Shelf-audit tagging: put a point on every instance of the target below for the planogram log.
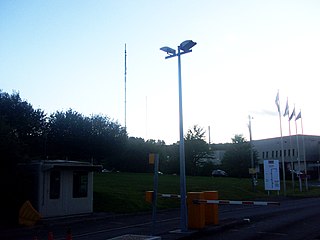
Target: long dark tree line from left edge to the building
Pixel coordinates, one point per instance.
(28, 134)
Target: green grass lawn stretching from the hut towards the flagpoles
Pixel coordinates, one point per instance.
(125, 192)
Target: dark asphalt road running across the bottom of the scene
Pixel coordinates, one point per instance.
(293, 219)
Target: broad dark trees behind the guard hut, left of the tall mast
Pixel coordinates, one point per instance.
(74, 136)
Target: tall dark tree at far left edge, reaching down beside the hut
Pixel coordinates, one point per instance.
(21, 138)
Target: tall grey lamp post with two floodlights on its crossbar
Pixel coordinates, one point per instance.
(184, 47)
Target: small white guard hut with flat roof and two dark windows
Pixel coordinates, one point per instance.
(59, 187)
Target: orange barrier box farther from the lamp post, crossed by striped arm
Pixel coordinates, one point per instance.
(211, 210)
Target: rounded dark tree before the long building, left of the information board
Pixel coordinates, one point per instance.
(237, 159)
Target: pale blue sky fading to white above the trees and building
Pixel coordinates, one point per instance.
(62, 55)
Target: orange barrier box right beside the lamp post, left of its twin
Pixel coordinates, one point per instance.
(196, 212)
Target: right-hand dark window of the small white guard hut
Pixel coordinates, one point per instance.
(80, 184)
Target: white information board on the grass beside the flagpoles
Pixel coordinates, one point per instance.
(271, 175)
